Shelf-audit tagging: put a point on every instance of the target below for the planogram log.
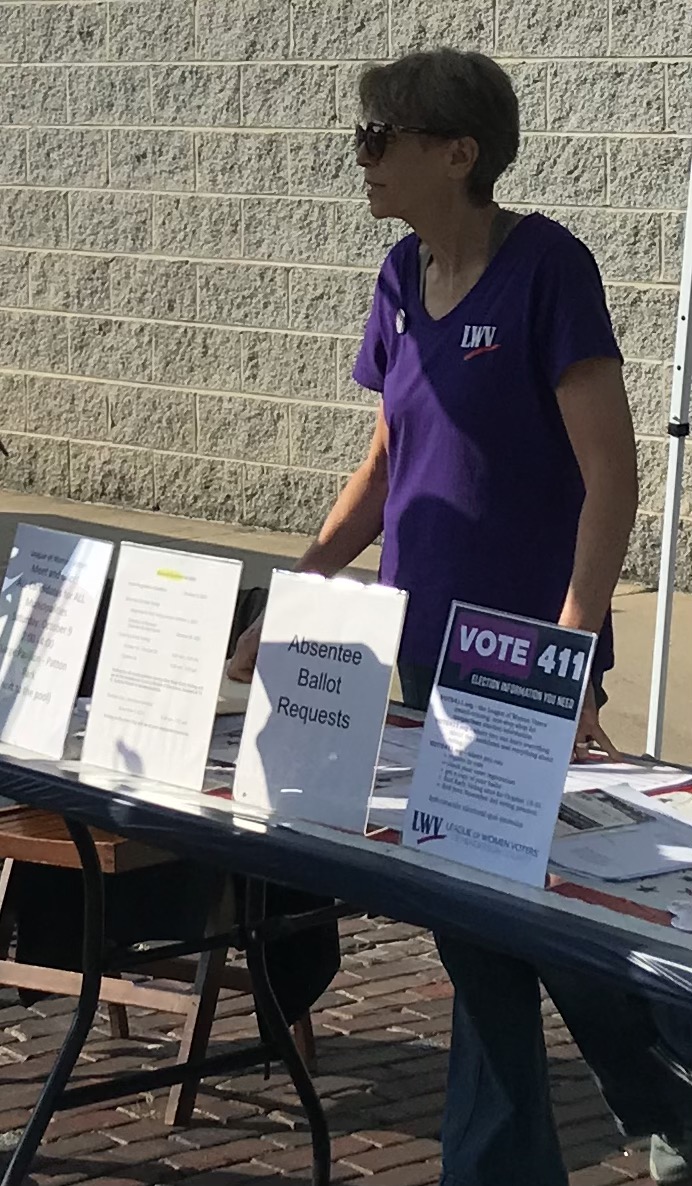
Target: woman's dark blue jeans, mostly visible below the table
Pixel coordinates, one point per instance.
(499, 1124)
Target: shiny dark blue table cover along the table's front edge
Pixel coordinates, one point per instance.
(370, 879)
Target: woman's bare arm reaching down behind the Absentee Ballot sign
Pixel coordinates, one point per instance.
(354, 522)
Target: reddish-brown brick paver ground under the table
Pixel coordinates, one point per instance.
(383, 1034)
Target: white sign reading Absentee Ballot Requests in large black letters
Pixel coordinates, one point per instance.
(319, 699)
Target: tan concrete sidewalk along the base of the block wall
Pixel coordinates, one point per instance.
(628, 686)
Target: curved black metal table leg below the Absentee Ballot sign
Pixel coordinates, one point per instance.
(281, 1034)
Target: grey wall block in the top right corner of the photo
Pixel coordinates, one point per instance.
(668, 25)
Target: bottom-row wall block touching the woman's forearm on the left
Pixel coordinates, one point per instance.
(288, 500)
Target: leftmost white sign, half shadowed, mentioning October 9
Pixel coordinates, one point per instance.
(48, 608)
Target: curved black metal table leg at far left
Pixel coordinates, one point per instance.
(84, 1017)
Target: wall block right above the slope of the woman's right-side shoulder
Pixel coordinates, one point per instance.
(627, 245)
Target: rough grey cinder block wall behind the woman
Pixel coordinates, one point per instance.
(187, 259)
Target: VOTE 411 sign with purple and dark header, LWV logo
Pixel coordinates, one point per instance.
(498, 742)
